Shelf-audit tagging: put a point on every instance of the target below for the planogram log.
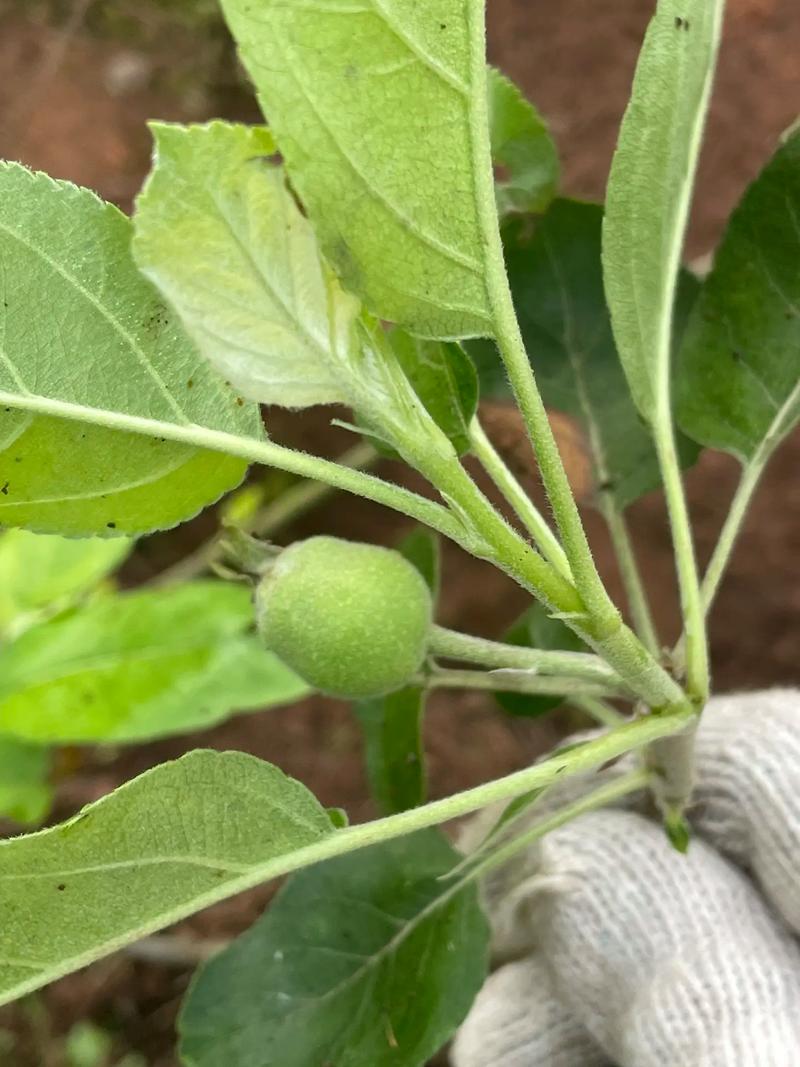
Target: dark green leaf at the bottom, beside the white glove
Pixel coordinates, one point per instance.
(372, 961)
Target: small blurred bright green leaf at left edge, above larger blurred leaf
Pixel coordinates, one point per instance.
(40, 570)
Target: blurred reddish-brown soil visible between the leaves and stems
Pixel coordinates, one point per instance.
(78, 81)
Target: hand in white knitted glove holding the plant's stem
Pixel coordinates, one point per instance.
(637, 957)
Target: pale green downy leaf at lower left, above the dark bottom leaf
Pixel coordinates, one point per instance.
(167, 845)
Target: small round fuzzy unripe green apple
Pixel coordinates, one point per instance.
(350, 619)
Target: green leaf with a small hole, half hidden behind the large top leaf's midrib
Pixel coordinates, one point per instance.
(523, 146)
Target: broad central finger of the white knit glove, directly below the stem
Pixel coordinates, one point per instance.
(666, 960)
